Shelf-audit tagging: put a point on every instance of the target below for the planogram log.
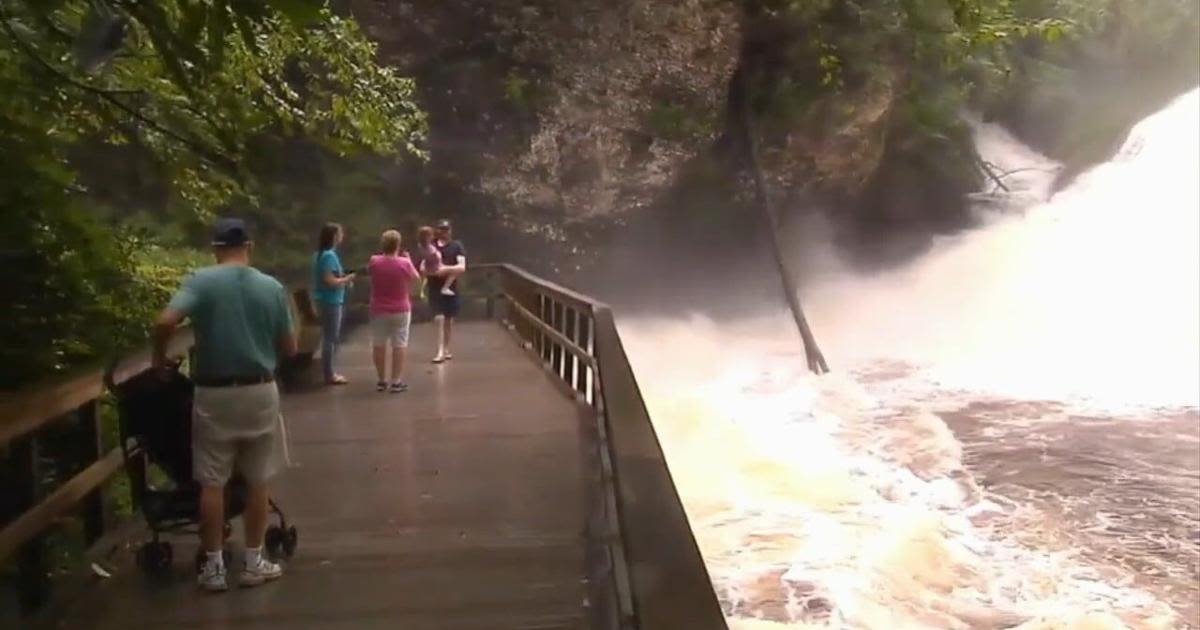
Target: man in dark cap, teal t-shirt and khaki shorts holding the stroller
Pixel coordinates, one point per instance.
(243, 326)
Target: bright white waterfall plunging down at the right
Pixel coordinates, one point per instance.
(1094, 295)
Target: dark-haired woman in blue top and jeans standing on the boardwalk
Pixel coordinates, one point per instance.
(329, 292)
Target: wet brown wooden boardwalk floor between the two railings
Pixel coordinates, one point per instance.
(457, 506)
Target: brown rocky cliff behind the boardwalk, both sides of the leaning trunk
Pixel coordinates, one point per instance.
(568, 122)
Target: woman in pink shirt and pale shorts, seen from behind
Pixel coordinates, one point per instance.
(392, 310)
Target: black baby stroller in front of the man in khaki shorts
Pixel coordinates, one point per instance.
(155, 428)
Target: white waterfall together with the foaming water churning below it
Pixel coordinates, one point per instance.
(848, 502)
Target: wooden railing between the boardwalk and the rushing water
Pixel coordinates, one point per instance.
(646, 569)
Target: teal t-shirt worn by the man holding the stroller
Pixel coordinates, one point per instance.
(239, 316)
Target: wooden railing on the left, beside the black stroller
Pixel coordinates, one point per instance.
(27, 514)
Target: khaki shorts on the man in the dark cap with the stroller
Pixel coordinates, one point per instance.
(237, 429)
